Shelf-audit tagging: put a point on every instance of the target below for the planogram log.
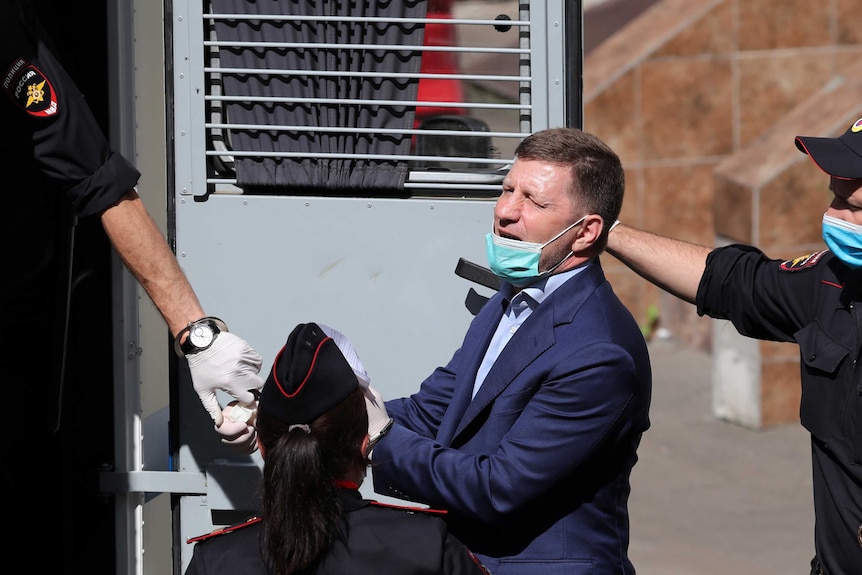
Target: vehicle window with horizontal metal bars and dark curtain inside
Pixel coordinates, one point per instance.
(366, 99)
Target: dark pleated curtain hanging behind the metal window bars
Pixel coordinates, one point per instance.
(312, 173)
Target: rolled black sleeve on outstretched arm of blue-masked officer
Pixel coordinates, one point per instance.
(763, 298)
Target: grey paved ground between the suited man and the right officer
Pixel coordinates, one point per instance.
(710, 497)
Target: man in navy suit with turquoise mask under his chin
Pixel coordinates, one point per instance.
(529, 434)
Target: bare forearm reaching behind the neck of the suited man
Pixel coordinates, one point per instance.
(673, 265)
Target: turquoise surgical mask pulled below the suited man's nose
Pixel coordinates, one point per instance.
(517, 262)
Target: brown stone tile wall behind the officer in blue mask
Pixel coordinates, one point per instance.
(702, 99)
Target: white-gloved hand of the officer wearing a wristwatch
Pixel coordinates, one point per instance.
(229, 364)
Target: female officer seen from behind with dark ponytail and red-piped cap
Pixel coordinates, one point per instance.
(313, 431)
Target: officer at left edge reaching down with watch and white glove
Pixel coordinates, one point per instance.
(61, 184)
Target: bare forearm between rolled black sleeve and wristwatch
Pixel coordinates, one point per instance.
(143, 249)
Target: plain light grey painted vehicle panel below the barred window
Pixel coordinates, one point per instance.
(381, 271)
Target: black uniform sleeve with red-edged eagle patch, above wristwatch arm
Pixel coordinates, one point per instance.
(43, 110)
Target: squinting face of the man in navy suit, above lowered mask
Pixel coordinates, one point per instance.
(535, 206)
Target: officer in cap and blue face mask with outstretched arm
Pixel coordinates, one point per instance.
(811, 300)
